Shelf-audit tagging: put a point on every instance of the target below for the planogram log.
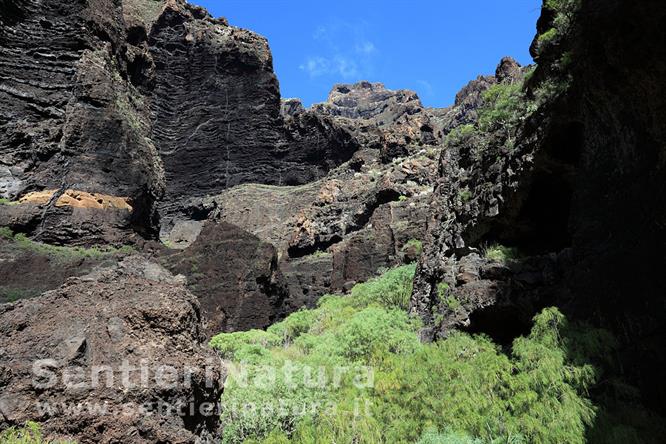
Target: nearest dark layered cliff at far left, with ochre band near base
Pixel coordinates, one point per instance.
(70, 119)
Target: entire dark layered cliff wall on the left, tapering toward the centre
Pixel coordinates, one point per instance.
(137, 98)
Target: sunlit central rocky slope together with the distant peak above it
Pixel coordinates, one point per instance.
(364, 215)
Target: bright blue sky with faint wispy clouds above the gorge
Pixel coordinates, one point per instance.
(433, 47)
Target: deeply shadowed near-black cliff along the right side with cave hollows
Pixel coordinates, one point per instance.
(571, 193)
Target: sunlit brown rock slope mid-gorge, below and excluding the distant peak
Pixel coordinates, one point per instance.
(339, 230)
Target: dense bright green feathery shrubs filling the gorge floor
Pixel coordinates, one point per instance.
(395, 389)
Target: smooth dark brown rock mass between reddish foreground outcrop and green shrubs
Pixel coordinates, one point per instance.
(234, 275)
